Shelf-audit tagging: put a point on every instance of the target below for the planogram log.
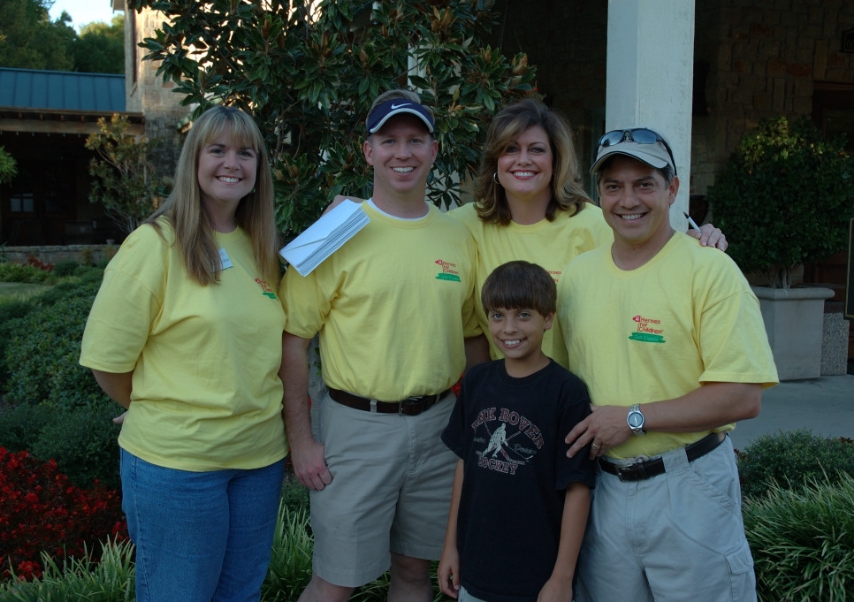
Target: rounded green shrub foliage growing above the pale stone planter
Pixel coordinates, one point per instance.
(784, 198)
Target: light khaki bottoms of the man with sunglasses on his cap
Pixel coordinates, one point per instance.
(670, 538)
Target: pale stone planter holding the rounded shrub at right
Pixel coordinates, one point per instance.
(794, 320)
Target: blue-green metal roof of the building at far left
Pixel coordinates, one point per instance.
(62, 90)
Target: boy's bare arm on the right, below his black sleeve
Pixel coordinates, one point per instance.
(576, 506)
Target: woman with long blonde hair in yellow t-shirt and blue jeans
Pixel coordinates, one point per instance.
(185, 333)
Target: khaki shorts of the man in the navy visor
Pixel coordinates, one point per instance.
(390, 489)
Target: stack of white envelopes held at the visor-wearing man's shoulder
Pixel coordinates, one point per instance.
(325, 236)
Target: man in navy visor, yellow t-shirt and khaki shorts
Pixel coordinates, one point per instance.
(392, 307)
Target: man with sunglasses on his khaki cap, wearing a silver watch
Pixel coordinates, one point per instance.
(669, 338)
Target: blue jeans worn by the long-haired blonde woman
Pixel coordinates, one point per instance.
(200, 536)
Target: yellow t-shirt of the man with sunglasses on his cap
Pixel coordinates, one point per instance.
(684, 318)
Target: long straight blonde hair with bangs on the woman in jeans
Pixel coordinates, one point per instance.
(183, 208)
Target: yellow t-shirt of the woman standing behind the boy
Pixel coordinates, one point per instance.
(551, 245)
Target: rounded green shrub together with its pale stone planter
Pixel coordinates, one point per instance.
(785, 197)
